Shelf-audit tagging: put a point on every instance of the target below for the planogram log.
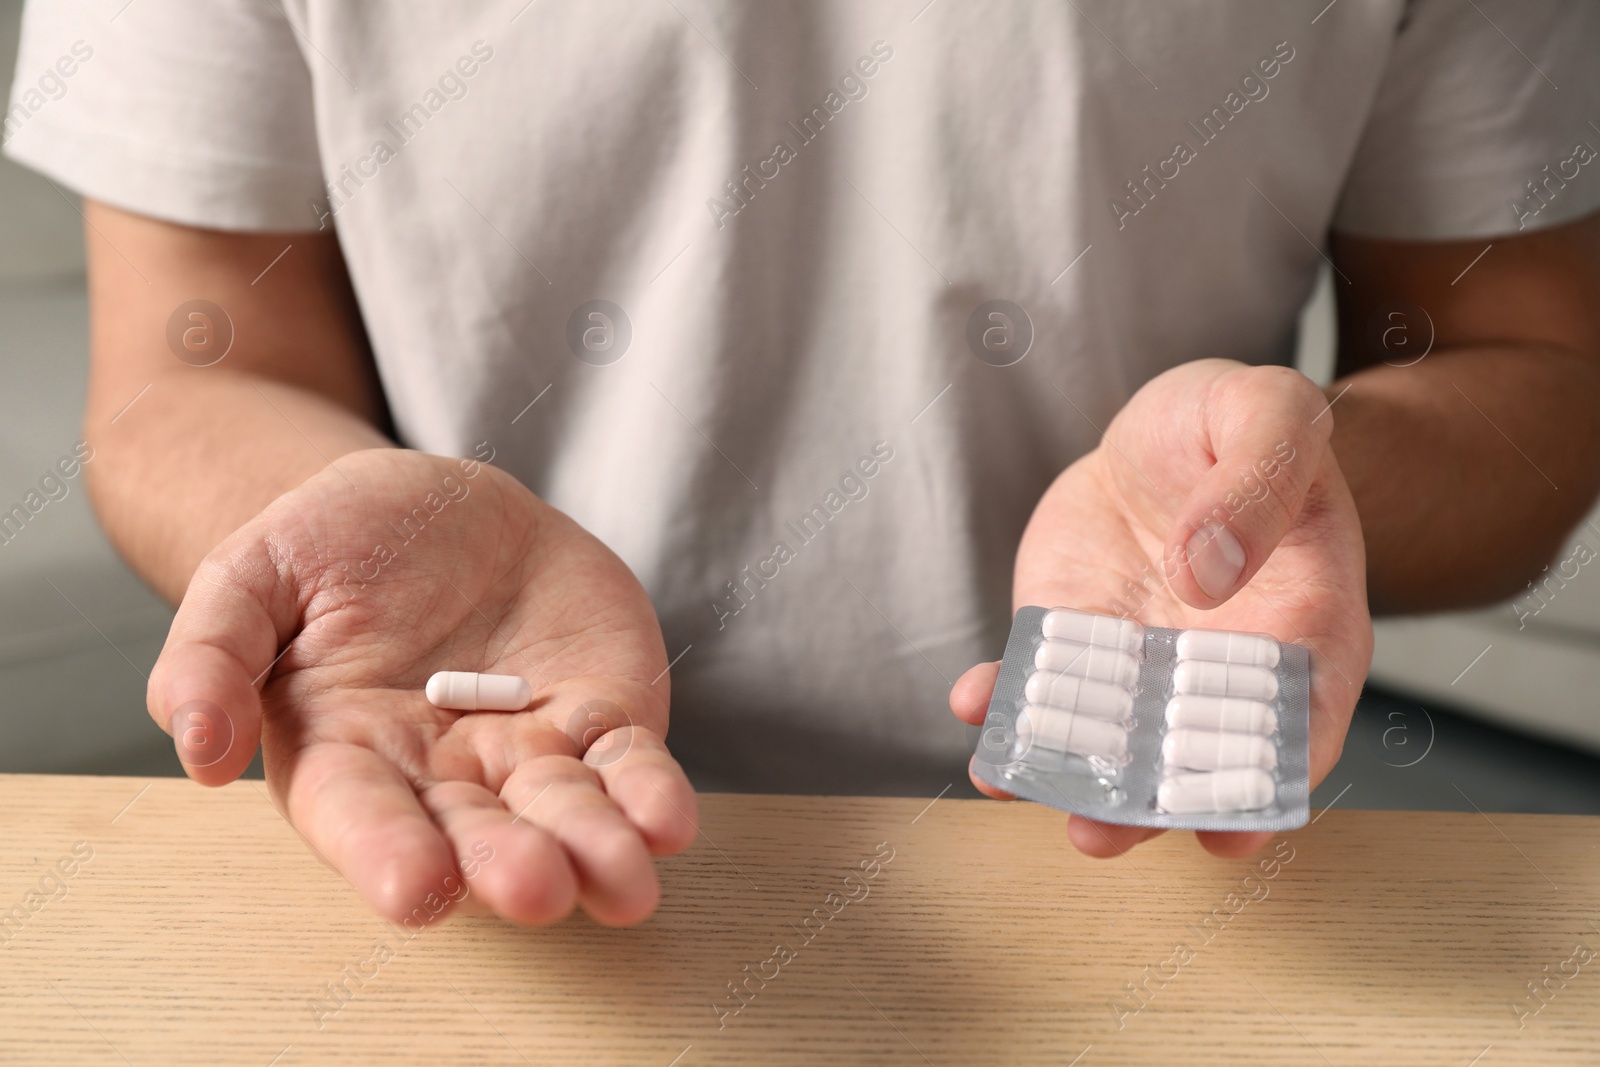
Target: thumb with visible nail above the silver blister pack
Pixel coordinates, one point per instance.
(1270, 430)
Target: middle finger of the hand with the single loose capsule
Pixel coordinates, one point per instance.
(513, 866)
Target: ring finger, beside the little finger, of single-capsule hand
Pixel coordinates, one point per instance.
(617, 879)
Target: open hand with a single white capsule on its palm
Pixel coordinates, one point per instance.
(313, 631)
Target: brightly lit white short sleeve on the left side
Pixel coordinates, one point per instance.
(193, 111)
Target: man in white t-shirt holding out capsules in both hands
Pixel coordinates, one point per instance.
(782, 326)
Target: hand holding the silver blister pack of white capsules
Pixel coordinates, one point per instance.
(1214, 502)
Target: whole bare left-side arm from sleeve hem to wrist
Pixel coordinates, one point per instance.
(191, 442)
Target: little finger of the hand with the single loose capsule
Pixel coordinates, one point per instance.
(642, 778)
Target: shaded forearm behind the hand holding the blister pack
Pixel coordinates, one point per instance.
(1468, 470)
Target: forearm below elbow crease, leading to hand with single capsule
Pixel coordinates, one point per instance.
(198, 457)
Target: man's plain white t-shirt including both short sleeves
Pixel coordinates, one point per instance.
(804, 214)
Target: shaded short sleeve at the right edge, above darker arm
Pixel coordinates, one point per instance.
(1478, 100)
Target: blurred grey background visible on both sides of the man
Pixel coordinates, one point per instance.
(1468, 711)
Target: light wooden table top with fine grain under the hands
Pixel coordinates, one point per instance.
(177, 925)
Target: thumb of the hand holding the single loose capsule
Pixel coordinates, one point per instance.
(206, 687)
